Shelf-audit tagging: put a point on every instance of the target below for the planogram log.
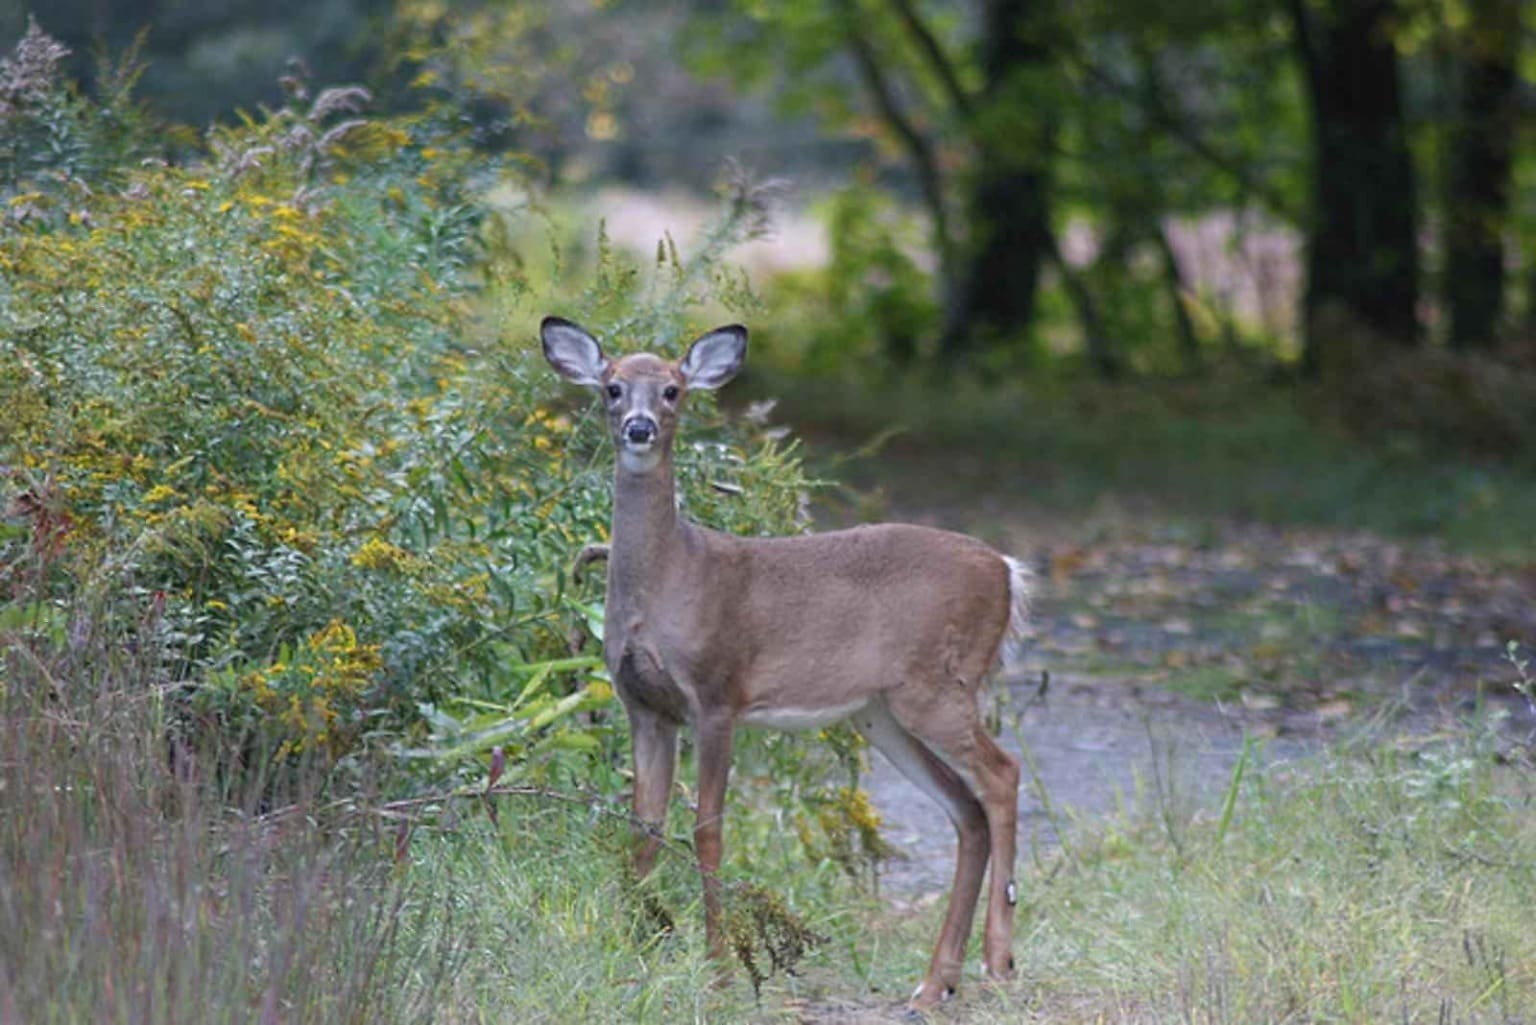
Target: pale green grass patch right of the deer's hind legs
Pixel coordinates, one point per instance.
(1391, 883)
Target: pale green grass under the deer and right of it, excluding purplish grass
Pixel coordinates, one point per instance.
(1379, 883)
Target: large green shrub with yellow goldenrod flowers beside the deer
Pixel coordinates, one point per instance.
(256, 400)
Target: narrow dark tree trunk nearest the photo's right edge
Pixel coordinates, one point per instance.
(1477, 205)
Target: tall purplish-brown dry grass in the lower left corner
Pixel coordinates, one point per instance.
(133, 892)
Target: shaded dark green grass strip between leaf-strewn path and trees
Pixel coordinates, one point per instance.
(1185, 451)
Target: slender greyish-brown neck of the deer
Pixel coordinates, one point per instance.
(646, 537)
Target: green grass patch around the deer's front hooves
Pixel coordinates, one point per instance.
(554, 932)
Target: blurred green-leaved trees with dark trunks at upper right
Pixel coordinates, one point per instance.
(1018, 119)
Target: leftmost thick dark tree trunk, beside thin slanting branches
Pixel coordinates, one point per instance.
(1008, 208)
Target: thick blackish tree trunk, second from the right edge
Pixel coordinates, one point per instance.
(1363, 270)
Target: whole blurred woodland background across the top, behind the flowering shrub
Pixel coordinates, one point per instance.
(1054, 151)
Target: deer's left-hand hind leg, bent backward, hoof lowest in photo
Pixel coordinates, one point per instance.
(945, 786)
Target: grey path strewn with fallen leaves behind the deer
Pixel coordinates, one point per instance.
(1165, 655)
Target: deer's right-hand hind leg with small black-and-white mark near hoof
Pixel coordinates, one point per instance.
(955, 731)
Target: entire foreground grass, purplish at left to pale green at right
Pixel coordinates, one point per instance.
(1383, 881)
